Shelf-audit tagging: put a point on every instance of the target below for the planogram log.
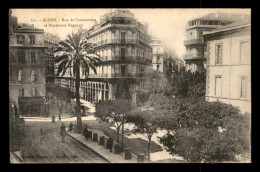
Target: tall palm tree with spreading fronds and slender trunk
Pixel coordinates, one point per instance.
(76, 53)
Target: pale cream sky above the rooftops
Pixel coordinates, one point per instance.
(165, 24)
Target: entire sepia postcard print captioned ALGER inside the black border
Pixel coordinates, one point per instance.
(129, 85)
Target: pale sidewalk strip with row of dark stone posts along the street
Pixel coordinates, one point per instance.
(101, 150)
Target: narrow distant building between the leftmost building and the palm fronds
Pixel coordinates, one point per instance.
(51, 42)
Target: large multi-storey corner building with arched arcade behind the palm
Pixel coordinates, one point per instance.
(124, 46)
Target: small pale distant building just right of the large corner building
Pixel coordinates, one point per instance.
(163, 57)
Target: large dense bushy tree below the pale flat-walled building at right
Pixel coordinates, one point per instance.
(215, 132)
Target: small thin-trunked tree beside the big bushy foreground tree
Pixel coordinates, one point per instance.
(146, 122)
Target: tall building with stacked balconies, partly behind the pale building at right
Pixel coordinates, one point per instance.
(195, 45)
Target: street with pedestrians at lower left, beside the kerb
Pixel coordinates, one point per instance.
(53, 150)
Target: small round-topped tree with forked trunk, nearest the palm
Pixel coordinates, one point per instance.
(114, 112)
